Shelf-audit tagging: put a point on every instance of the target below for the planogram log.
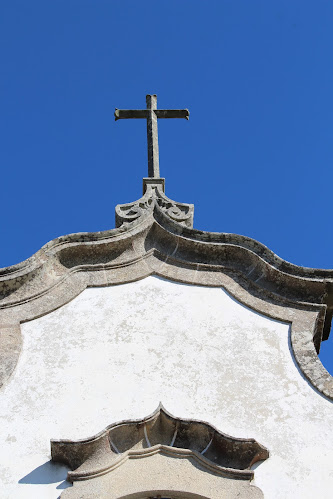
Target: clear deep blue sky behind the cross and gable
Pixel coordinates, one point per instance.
(255, 157)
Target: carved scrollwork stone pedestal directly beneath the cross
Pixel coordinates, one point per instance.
(154, 197)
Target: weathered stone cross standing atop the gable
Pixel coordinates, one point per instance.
(151, 114)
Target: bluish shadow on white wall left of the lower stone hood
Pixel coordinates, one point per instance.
(47, 473)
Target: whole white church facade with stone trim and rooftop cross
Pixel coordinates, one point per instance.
(158, 361)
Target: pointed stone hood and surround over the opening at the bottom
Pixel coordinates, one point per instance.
(160, 454)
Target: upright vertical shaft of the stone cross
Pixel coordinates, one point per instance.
(152, 138)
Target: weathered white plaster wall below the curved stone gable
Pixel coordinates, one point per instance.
(114, 353)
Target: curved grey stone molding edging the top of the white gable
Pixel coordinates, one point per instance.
(155, 244)
